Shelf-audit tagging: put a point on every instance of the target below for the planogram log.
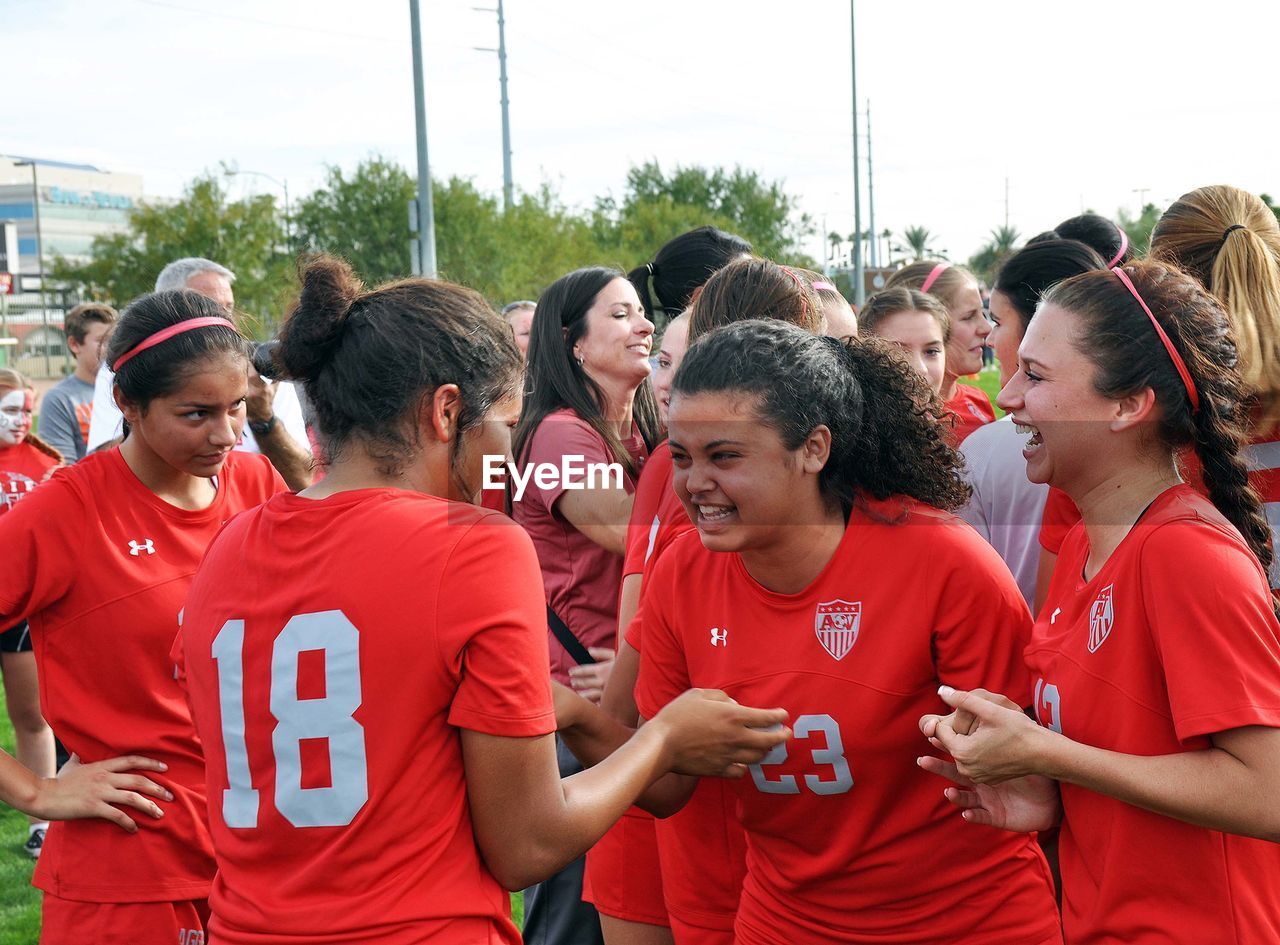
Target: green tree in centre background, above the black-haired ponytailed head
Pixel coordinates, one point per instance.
(656, 207)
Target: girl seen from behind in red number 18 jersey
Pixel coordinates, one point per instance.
(371, 690)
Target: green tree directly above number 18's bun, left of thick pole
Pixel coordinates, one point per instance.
(363, 217)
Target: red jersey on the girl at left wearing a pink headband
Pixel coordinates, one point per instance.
(100, 565)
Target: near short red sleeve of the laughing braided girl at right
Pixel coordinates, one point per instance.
(1212, 618)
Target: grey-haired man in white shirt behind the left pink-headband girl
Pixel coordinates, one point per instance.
(275, 427)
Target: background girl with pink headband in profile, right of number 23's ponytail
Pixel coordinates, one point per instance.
(958, 290)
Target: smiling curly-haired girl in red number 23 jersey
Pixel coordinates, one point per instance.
(828, 578)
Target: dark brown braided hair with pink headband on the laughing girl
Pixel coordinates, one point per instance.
(1121, 341)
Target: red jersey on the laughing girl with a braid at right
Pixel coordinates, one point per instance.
(1173, 641)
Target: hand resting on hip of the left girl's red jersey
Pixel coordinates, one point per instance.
(99, 791)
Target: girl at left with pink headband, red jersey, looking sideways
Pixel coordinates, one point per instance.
(99, 560)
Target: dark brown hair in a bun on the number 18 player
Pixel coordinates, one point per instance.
(369, 358)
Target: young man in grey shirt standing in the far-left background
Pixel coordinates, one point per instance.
(66, 417)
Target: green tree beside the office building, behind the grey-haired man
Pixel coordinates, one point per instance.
(246, 236)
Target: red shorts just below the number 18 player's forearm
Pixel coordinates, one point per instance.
(624, 879)
